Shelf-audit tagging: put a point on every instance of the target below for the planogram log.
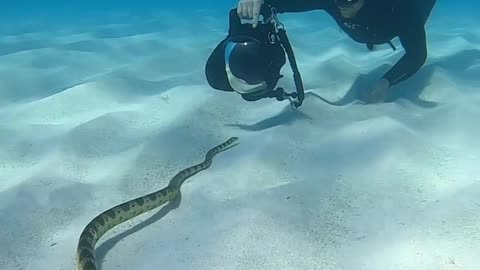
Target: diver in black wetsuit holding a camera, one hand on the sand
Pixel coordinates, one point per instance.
(372, 22)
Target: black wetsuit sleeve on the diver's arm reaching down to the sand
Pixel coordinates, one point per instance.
(414, 42)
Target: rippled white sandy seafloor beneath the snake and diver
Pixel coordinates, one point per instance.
(96, 114)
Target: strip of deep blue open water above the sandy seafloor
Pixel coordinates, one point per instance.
(80, 10)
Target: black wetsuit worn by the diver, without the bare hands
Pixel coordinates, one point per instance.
(378, 22)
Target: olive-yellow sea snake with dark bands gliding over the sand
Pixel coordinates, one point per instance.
(130, 209)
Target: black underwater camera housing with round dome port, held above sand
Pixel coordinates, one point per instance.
(248, 61)
